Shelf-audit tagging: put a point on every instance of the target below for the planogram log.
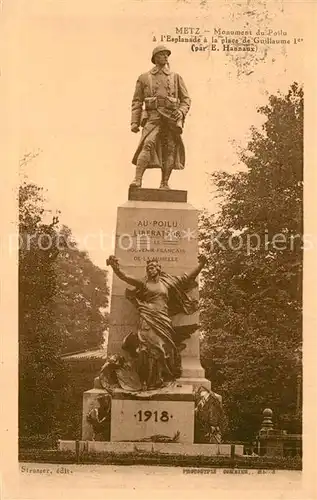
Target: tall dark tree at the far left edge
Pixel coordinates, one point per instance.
(40, 368)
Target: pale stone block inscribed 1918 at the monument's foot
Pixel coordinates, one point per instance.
(166, 415)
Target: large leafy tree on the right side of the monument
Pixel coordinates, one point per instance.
(252, 296)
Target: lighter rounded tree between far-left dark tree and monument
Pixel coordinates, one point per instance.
(82, 297)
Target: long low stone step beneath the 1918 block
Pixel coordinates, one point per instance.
(224, 450)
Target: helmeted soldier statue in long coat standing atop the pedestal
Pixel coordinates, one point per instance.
(160, 105)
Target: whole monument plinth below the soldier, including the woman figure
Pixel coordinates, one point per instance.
(164, 233)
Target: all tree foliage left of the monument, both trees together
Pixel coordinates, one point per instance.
(62, 298)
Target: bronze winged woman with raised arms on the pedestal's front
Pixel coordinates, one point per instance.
(156, 346)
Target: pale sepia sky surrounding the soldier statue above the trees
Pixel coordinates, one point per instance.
(75, 66)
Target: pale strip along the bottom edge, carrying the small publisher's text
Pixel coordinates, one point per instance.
(50, 481)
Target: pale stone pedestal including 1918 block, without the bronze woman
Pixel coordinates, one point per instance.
(160, 224)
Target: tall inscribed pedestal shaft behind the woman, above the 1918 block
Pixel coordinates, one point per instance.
(150, 226)
